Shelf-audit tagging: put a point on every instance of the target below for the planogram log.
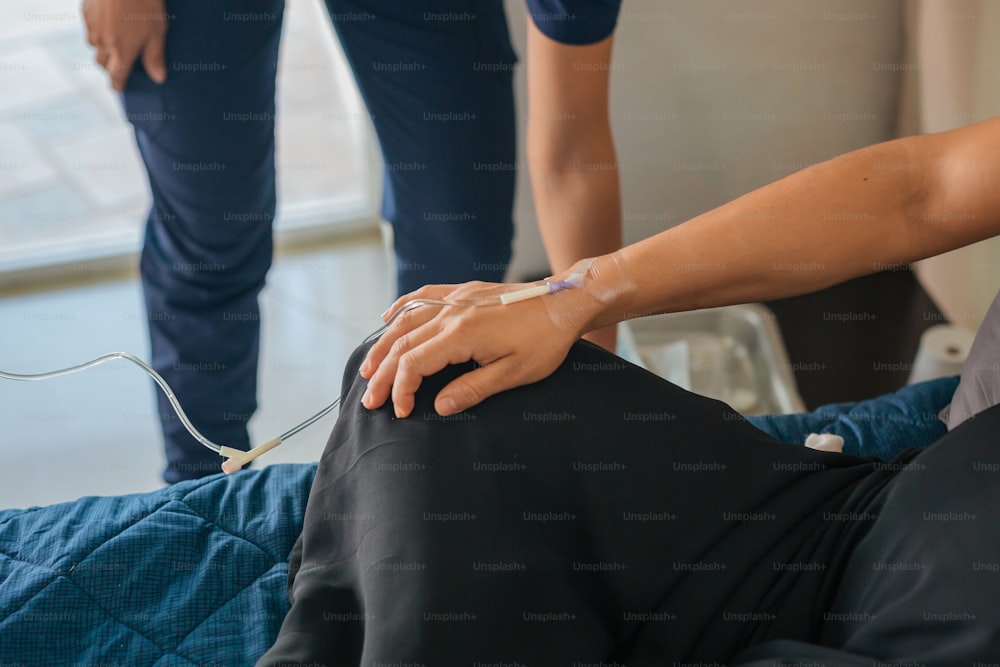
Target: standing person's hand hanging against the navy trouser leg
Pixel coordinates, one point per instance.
(125, 30)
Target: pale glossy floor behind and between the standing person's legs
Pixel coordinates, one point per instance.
(96, 433)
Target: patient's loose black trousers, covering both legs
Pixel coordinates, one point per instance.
(606, 516)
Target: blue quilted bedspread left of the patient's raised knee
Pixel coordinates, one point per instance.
(193, 574)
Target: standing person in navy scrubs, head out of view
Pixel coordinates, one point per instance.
(198, 83)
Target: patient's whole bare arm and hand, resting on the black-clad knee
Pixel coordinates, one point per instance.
(895, 202)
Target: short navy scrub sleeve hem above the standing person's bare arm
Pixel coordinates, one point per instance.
(575, 21)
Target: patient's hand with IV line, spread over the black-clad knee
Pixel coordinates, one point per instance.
(514, 344)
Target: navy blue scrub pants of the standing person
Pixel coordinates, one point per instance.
(436, 77)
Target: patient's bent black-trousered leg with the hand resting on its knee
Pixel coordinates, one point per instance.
(601, 514)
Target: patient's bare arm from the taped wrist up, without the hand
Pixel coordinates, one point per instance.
(891, 203)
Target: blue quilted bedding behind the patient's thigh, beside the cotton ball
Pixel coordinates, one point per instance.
(881, 427)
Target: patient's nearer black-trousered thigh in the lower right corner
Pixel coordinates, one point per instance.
(922, 586)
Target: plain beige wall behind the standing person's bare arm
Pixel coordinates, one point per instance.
(712, 98)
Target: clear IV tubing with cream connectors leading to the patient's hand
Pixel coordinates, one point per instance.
(237, 458)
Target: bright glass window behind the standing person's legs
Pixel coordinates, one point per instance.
(72, 186)
